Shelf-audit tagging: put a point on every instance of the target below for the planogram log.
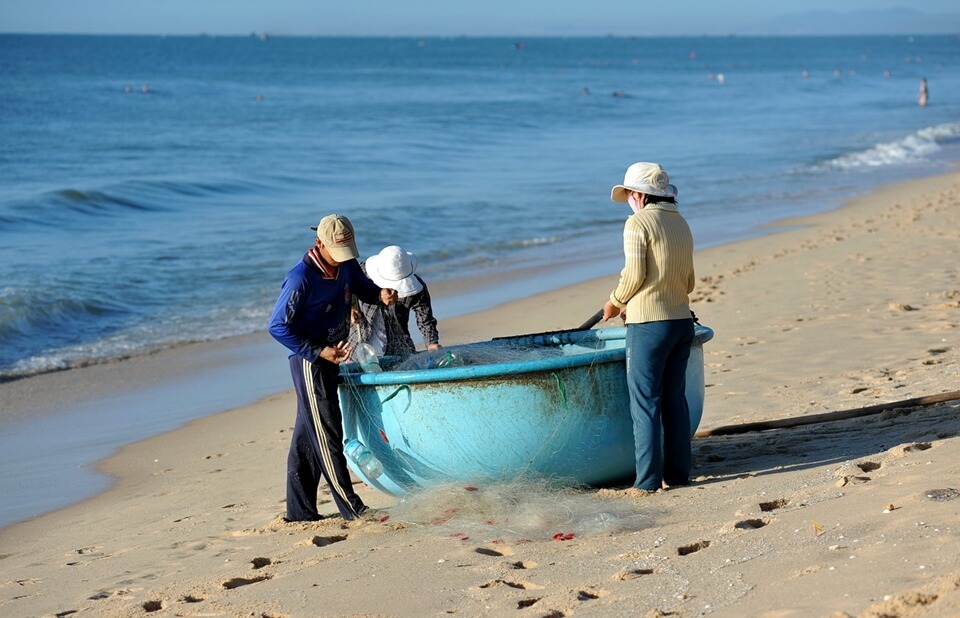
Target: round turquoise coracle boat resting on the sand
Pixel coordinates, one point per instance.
(555, 408)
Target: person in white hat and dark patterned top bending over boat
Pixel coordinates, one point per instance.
(386, 328)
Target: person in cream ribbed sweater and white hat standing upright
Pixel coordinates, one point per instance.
(653, 299)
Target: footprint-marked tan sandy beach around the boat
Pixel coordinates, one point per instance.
(846, 309)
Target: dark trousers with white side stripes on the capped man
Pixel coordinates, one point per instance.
(316, 449)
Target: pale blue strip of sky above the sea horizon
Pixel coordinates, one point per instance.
(479, 18)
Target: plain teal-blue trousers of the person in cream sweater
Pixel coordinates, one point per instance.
(657, 354)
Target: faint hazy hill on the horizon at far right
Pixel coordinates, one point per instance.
(892, 21)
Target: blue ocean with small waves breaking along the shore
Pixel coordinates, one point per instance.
(155, 190)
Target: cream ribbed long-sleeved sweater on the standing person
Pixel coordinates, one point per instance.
(657, 276)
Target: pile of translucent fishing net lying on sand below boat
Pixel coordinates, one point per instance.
(524, 509)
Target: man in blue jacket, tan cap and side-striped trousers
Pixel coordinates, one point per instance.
(311, 319)
